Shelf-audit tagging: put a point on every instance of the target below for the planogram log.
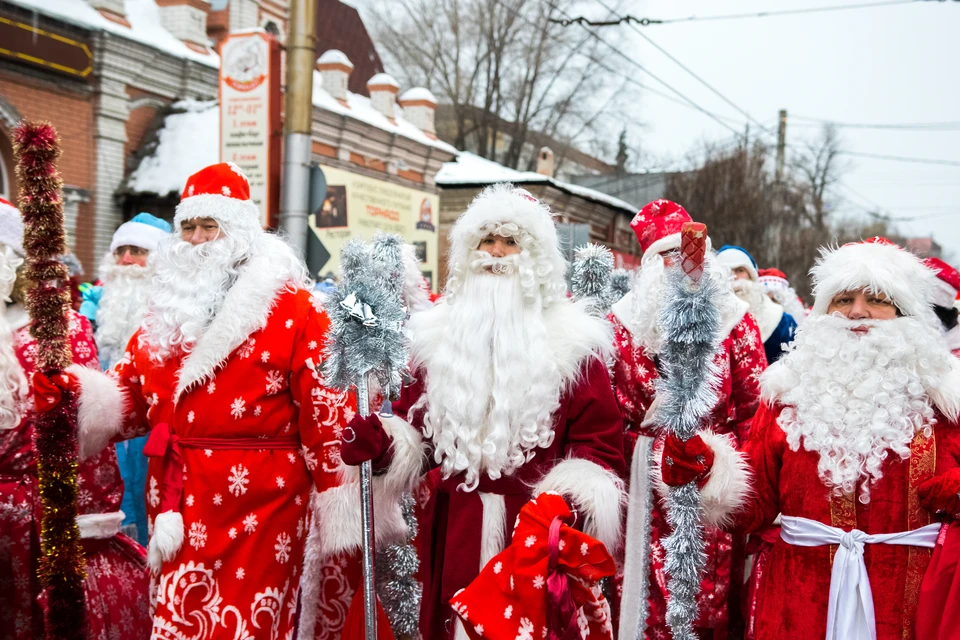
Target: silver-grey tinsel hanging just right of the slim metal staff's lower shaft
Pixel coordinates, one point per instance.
(397, 584)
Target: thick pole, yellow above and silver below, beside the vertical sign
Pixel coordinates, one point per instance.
(298, 123)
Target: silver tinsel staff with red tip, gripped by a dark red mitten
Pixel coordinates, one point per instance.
(691, 321)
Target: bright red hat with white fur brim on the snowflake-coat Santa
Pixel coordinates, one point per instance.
(222, 192)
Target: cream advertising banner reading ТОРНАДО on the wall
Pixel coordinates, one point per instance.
(356, 206)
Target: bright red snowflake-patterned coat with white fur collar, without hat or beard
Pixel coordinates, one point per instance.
(252, 377)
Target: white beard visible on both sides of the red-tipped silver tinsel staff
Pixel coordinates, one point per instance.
(650, 294)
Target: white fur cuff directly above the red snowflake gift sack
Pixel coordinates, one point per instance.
(597, 493)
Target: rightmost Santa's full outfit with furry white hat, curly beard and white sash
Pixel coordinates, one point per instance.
(857, 445)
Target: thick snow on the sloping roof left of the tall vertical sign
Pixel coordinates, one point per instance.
(188, 142)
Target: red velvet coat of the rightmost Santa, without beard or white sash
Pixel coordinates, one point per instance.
(793, 601)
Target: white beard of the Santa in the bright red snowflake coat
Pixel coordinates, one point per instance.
(190, 286)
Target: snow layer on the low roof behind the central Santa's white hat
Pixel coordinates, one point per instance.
(471, 169)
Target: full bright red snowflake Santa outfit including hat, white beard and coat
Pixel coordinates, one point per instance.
(224, 375)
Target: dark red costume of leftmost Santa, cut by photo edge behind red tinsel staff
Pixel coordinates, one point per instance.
(117, 584)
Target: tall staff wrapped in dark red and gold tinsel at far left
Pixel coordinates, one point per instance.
(62, 569)
